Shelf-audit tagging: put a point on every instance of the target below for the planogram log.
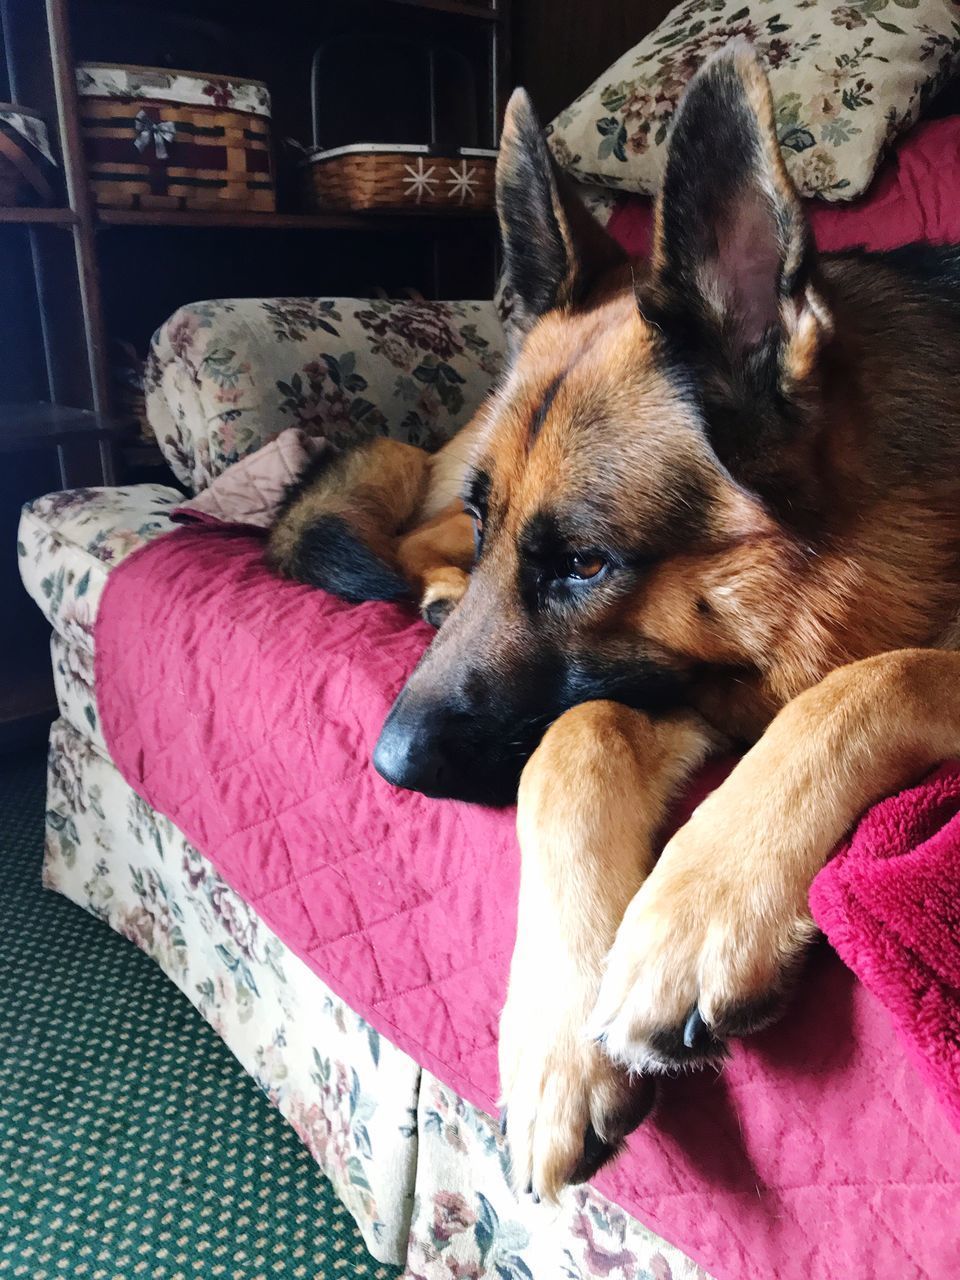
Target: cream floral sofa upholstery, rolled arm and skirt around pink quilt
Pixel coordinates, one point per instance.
(423, 1172)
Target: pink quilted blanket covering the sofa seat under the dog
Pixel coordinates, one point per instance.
(246, 708)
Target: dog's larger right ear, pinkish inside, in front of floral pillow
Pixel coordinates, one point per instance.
(733, 254)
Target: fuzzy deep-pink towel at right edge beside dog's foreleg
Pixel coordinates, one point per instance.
(890, 904)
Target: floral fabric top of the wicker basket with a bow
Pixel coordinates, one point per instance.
(164, 85)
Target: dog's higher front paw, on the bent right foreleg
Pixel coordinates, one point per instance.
(706, 947)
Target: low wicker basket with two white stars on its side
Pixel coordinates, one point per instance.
(394, 177)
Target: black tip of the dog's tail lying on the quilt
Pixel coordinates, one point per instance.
(331, 556)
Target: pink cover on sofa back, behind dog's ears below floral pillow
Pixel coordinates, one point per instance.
(915, 198)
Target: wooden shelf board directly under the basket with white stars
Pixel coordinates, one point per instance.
(285, 222)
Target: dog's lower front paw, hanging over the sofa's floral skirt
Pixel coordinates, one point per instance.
(566, 1107)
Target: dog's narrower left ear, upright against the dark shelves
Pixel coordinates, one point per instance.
(554, 249)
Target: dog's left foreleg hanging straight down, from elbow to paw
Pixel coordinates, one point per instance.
(592, 801)
